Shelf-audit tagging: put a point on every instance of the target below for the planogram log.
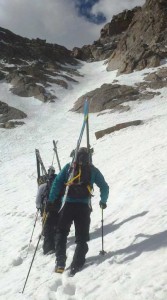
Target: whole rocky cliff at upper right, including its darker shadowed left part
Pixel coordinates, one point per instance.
(133, 40)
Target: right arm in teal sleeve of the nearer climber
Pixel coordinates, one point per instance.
(102, 184)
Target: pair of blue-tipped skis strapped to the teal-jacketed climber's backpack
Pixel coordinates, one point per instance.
(73, 163)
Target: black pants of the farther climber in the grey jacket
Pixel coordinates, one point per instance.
(50, 232)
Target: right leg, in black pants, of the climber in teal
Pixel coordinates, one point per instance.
(82, 224)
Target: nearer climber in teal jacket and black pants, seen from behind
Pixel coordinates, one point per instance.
(77, 208)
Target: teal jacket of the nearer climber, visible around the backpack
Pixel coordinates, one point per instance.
(62, 178)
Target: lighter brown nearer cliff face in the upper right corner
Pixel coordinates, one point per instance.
(143, 45)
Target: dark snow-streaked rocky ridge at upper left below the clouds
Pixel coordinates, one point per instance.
(32, 66)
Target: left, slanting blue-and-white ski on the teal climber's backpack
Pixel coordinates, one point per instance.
(73, 163)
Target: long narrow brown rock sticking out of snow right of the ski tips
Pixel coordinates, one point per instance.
(99, 134)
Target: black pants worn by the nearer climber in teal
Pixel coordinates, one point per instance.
(79, 213)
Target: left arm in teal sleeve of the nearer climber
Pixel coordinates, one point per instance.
(58, 184)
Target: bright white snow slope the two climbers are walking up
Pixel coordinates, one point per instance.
(133, 162)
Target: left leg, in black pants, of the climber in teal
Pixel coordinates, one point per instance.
(63, 229)
